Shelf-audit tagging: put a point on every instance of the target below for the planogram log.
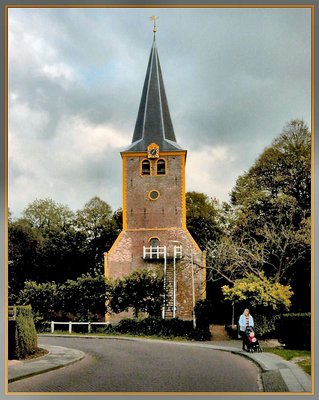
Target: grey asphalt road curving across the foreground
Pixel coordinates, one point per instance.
(113, 365)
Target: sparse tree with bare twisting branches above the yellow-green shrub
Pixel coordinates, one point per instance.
(277, 254)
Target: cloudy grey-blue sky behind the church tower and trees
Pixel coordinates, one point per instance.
(233, 78)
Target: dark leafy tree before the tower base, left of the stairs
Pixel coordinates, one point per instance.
(142, 290)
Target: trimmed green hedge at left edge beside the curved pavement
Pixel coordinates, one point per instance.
(23, 334)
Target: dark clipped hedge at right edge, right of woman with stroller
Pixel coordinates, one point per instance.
(294, 331)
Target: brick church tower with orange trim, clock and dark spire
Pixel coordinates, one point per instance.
(154, 234)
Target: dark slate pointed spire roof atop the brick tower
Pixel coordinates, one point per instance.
(153, 123)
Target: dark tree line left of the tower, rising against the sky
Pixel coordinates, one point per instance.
(51, 243)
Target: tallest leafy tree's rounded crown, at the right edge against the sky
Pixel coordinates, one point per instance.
(277, 188)
